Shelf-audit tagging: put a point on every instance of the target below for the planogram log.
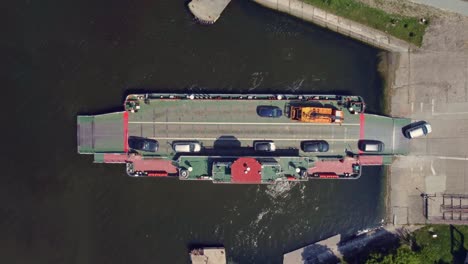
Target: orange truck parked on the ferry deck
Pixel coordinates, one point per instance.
(316, 114)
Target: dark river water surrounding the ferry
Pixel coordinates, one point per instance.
(65, 58)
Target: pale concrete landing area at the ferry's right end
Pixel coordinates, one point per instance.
(432, 84)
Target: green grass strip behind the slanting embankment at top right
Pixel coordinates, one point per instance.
(405, 28)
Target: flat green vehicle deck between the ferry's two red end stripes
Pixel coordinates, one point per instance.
(219, 123)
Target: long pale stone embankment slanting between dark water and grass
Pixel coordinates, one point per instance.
(338, 24)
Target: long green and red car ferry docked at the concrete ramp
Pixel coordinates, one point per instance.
(227, 127)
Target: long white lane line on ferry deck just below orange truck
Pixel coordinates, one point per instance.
(240, 123)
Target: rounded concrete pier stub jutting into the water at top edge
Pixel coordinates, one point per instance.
(207, 11)
